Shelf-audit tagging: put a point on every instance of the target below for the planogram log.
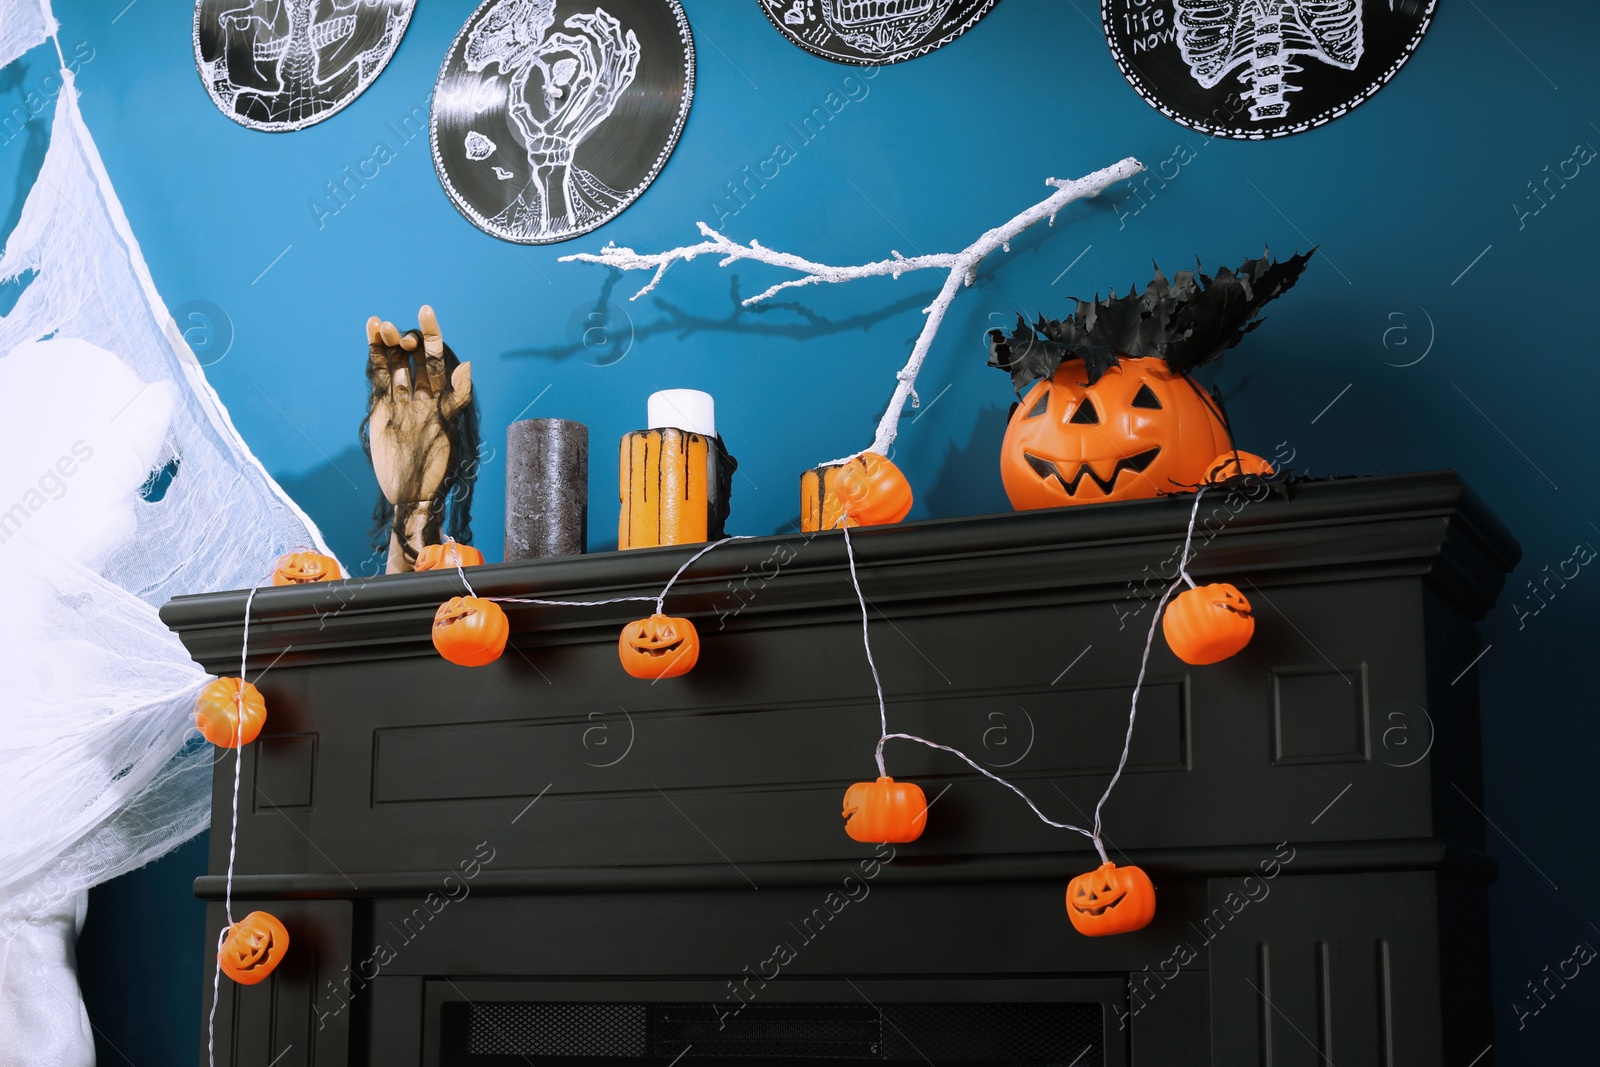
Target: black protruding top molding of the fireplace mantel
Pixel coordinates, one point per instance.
(1425, 524)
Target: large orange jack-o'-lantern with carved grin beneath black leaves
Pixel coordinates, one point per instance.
(1137, 433)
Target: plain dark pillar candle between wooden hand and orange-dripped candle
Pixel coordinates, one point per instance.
(546, 489)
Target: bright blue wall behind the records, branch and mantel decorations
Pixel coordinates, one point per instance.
(1402, 196)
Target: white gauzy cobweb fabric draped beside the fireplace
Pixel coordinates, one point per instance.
(102, 769)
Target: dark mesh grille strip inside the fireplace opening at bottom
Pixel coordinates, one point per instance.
(593, 1034)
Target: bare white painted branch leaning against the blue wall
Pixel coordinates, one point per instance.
(962, 271)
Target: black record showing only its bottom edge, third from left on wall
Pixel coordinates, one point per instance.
(873, 33)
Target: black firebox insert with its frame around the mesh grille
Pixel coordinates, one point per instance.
(1054, 1023)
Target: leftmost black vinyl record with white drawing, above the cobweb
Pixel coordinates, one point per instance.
(287, 65)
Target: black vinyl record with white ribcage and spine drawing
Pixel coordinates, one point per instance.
(1257, 70)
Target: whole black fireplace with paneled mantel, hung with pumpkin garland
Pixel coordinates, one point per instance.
(548, 861)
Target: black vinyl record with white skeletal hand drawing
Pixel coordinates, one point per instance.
(553, 116)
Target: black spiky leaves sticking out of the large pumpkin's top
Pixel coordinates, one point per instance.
(1188, 322)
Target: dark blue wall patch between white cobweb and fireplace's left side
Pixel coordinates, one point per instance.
(143, 962)
